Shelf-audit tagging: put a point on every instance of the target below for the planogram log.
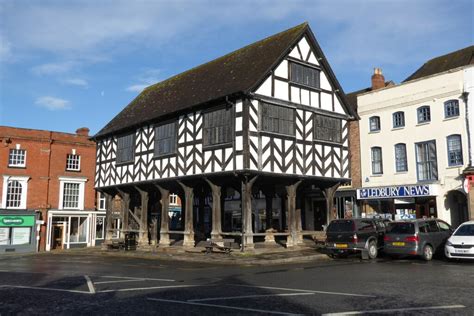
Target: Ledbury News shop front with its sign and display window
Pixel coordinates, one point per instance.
(399, 202)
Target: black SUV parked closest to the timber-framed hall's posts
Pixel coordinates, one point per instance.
(344, 236)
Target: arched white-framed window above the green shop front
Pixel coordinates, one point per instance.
(14, 193)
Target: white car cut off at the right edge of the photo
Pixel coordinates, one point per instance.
(461, 244)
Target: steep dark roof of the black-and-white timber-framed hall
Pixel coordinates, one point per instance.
(237, 72)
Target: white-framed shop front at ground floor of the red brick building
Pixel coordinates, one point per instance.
(74, 229)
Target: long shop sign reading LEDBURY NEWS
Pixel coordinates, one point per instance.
(403, 191)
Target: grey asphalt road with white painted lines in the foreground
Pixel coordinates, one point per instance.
(93, 284)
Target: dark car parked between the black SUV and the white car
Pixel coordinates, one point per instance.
(418, 237)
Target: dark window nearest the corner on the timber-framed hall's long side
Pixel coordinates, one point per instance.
(218, 127)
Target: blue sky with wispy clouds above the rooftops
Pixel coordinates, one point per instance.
(69, 64)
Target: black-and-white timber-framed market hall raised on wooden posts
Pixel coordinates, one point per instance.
(251, 141)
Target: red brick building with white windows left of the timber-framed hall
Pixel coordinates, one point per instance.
(49, 175)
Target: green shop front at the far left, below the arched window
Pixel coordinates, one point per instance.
(18, 231)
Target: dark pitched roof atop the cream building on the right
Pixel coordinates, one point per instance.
(459, 58)
